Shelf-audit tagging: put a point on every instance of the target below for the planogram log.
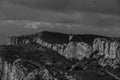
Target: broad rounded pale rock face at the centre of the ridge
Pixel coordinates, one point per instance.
(77, 50)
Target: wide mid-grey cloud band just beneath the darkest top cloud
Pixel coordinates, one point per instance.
(17, 12)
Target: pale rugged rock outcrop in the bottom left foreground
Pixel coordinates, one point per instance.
(24, 70)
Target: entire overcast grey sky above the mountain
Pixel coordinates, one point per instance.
(89, 16)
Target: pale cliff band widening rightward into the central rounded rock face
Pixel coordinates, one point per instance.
(69, 50)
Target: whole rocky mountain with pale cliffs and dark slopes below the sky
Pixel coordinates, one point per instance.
(58, 56)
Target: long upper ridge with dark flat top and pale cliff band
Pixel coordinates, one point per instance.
(70, 48)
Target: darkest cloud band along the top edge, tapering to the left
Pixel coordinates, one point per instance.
(101, 6)
